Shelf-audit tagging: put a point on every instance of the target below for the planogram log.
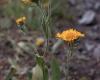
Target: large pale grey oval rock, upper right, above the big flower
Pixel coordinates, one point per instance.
(87, 18)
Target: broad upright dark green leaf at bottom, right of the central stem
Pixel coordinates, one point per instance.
(55, 69)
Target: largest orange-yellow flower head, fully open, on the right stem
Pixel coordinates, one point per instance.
(69, 35)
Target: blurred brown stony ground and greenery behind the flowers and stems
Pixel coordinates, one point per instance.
(83, 15)
